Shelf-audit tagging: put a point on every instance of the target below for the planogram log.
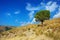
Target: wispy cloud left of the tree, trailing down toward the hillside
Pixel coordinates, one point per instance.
(31, 10)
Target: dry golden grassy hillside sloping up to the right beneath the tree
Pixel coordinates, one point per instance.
(49, 31)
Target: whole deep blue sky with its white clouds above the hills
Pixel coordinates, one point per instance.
(21, 12)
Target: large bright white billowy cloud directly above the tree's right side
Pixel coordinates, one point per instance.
(49, 6)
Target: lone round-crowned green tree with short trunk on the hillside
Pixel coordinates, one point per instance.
(42, 15)
